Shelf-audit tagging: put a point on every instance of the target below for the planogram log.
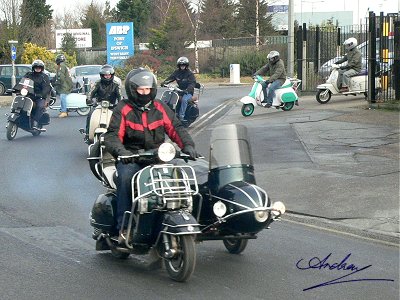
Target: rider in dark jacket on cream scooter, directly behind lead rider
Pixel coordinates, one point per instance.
(105, 89)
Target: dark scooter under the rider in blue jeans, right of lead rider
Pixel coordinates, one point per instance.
(172, 96)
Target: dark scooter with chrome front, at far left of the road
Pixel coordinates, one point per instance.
(22, 107)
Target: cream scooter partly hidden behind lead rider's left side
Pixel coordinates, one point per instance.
(99, 121)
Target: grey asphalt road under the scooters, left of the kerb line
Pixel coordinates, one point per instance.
(47, 251)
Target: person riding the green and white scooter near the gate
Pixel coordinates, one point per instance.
(275, 68)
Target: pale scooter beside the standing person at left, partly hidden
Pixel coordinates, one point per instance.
(76, 100)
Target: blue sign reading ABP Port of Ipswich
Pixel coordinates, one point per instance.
(120, 44)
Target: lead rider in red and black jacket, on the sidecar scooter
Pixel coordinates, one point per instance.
(140, 122)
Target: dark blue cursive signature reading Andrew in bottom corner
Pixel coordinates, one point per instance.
(343, 265)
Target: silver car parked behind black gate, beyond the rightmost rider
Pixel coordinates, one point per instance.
(325, 69)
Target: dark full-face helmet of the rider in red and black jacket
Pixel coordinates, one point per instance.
(140, 77)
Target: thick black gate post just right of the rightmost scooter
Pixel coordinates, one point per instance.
(371, 57)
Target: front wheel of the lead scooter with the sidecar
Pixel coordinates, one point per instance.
(182, 265)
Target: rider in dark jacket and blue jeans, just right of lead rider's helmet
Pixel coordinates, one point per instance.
(186, 81)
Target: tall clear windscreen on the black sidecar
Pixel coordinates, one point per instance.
(230, 147)
